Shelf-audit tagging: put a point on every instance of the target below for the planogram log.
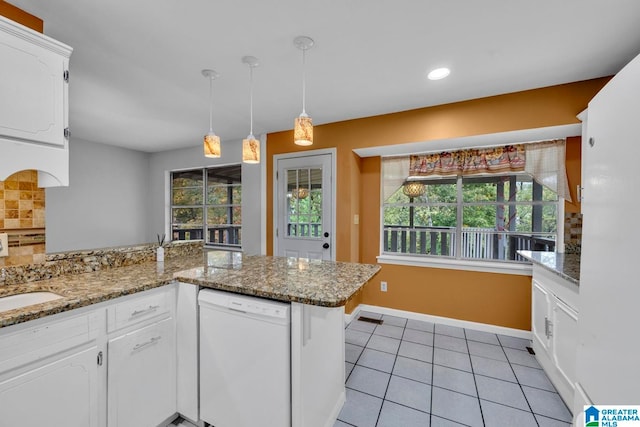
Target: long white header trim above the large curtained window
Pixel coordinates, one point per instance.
(474, 141)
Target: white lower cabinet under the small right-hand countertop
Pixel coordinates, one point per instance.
(555, 329)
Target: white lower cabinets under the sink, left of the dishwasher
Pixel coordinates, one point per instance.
(112, 364)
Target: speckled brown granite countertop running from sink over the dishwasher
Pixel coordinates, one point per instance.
(322, 283)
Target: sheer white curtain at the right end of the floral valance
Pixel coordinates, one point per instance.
(546, 163)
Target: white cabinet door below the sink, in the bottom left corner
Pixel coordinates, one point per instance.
(61, 393)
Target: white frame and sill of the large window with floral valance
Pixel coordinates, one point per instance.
(456, 261)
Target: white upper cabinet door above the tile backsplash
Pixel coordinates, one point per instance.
(33, 105)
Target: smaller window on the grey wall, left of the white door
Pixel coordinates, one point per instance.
(206, 204)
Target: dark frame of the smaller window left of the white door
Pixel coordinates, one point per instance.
(205, 206)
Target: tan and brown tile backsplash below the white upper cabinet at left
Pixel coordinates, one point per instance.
(22, 217)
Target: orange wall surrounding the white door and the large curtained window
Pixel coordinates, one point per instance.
(503, 300)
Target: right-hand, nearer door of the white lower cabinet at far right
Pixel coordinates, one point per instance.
(565, 341)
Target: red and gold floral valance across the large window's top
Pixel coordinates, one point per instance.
(509, 158)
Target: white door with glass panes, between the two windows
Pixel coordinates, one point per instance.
(304, 207)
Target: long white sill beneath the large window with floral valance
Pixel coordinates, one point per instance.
(456, 264)
